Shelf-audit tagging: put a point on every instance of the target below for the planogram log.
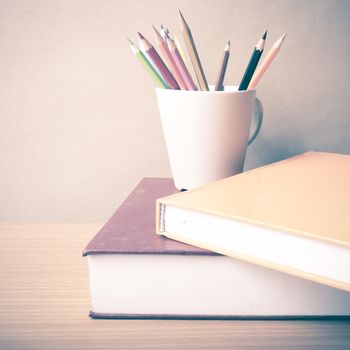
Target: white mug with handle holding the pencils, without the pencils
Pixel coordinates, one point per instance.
(207, 132)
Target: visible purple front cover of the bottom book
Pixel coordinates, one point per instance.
(131, 230)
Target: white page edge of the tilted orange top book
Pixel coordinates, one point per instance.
(316, 260)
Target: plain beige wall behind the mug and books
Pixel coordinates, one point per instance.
(79, 125)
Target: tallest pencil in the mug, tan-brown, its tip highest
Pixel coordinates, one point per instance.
(192, 51)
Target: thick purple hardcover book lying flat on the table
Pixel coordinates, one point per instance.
(135, 273)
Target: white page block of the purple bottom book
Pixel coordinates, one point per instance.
(155, 284)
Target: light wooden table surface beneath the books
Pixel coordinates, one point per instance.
(44, 304)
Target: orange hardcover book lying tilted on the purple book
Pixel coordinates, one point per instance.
(291, 216)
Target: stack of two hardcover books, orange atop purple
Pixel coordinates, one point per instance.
(270, 243)
